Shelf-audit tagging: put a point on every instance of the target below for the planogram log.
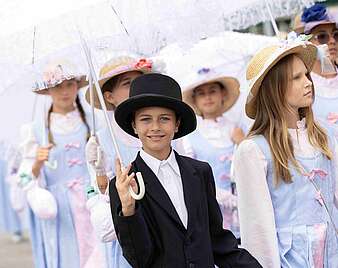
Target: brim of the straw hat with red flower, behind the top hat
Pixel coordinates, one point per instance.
(102, 81)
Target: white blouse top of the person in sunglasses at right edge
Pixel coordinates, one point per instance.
(325, 87)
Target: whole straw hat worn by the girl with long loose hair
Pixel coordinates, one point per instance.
(268, 57)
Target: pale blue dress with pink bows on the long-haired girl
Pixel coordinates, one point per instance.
(305, 234)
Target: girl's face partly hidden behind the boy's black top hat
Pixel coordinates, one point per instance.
(120, 92)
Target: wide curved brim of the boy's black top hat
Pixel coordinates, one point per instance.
(125, 111)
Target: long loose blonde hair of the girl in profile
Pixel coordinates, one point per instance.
(271, 123)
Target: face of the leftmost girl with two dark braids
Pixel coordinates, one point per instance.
(64, 94)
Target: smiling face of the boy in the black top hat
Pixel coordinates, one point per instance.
(155, 127)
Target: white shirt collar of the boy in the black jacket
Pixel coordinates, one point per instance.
(154, 164)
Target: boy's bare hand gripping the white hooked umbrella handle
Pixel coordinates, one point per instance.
(123, 182)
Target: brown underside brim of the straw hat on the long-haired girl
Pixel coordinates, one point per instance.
(307, 54)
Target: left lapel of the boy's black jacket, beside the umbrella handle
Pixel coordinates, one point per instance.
(155, 189)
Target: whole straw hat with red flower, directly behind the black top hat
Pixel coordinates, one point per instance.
(114, 67)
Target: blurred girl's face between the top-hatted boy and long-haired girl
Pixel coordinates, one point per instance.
(209, 99)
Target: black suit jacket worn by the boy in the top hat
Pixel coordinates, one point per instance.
(155, 236)
